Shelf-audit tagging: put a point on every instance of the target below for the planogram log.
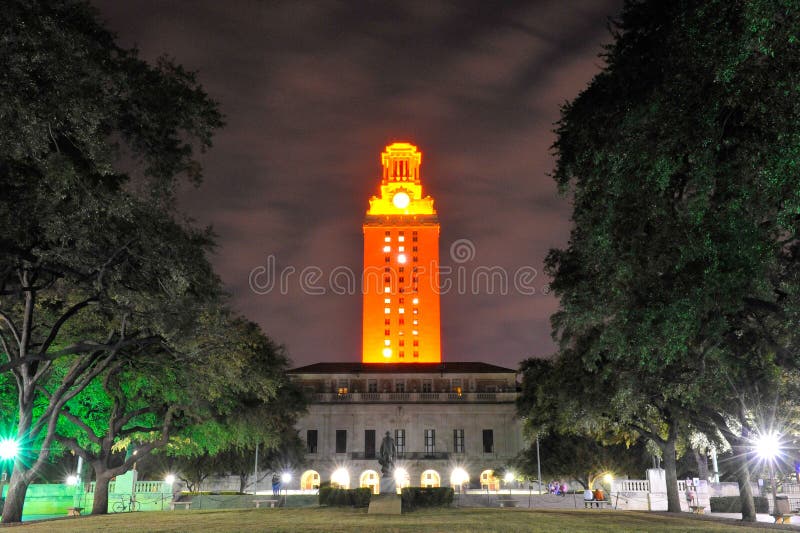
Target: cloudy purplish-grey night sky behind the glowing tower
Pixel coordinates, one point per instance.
(313, 91)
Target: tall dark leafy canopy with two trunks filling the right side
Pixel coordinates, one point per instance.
(681, 159)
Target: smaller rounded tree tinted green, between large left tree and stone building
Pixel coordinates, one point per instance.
(219, 395)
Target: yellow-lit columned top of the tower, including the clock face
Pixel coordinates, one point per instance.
(401, 188)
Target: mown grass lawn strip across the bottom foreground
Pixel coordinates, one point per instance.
(354, 520)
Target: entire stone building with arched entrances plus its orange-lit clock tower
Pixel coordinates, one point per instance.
(453, 423)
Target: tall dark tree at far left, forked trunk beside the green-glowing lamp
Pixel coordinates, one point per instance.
(79, 236)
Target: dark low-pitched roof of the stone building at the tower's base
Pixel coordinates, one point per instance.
(401, 368)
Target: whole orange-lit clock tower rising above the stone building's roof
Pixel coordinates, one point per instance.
(401, 266)
